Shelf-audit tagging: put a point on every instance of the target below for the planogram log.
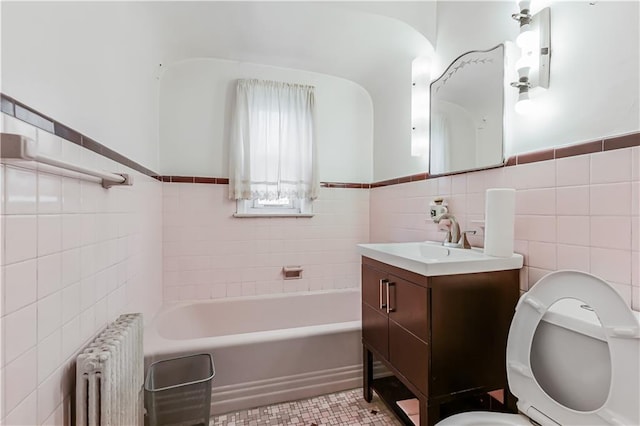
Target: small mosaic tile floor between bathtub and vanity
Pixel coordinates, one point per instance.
(345, 408)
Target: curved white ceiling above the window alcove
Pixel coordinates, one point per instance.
(365, 42)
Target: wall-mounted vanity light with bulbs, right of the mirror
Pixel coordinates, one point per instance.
(535, 53)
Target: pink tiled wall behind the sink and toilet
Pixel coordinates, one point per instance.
(579, 212)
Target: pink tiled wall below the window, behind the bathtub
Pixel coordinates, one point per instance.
(210, 254)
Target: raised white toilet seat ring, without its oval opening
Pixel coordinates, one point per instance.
(622, 332)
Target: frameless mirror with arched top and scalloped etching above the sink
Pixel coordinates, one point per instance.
(466, 119)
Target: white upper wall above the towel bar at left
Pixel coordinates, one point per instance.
(91, 66)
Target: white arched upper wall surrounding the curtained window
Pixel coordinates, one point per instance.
(195, 101)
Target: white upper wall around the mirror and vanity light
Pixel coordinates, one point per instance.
(595, 62)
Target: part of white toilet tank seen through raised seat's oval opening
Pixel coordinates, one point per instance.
(570, 357)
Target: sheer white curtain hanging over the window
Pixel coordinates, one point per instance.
(272, 152)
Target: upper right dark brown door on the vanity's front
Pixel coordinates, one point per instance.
(408, 306)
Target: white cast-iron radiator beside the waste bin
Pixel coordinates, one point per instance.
(110, 376)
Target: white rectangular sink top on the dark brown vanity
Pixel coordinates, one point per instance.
(430, 258)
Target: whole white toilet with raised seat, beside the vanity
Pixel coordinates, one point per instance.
(573, 357)
